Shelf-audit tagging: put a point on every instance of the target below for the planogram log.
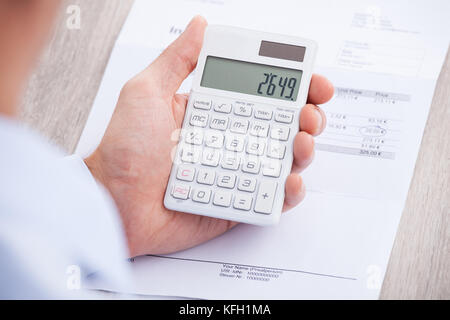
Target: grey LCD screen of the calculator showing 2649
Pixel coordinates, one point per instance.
(251, 78)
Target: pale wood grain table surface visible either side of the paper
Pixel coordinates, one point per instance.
(62, 89)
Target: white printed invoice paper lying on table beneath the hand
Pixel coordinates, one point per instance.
(384, 58)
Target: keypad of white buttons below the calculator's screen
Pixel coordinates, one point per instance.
(231, 155)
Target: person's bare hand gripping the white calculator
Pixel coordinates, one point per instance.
(134, 161)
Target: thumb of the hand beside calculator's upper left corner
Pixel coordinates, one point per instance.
(175, 64)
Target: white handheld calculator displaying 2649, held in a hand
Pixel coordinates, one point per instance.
(235, 149)
